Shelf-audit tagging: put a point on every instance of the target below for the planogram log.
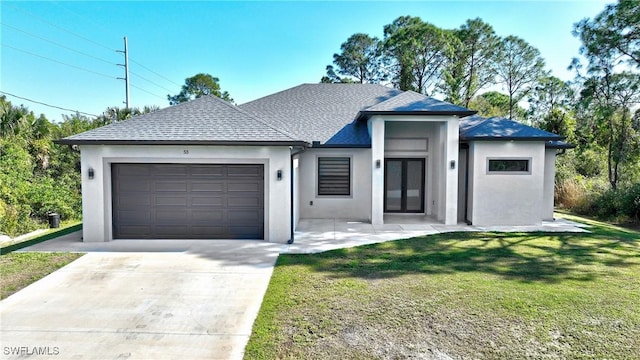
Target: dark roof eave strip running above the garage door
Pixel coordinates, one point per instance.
(180, 142)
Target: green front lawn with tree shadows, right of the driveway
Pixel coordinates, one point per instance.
(465, 295)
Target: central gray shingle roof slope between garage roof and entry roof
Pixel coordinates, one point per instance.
(317, 112)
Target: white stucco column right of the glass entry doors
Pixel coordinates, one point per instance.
(451, 174)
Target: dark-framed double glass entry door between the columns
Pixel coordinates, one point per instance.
(404, 185)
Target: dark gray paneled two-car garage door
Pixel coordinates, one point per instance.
(188, 201)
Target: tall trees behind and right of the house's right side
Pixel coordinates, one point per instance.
(597, 111)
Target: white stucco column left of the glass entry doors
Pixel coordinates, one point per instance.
(376, 131)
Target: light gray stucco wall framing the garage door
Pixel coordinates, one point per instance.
(96, 192)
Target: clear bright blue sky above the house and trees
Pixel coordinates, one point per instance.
(254, 48)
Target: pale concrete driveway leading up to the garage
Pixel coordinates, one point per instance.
(181, 300)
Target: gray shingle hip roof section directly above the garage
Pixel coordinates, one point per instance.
(204, 120)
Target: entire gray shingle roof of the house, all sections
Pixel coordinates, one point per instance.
(327, 113)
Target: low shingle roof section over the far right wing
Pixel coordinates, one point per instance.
(497, 128)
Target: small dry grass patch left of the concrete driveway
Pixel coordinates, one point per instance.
(20, 269)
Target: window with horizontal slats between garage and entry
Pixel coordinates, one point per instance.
(334, 176)
